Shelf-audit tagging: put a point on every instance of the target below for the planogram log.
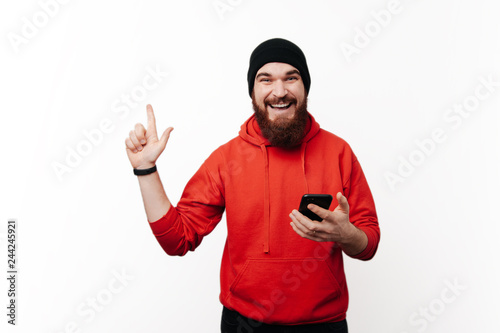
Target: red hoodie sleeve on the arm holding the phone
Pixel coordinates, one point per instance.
(362, 211)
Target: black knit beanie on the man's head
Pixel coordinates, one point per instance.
(278, 50)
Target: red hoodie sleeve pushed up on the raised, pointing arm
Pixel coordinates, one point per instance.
(197, 213)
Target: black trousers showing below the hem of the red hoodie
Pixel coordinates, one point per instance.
(233, 322)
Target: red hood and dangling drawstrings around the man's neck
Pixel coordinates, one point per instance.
(250, 132)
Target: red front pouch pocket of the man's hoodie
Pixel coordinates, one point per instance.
(286, 290)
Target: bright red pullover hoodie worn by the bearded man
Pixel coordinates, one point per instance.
(268, 272)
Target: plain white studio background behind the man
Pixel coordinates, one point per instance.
(77, 231)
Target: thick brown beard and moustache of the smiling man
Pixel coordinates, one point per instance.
(282, 132)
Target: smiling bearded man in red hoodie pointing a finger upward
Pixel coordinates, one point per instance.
(280, 271)
